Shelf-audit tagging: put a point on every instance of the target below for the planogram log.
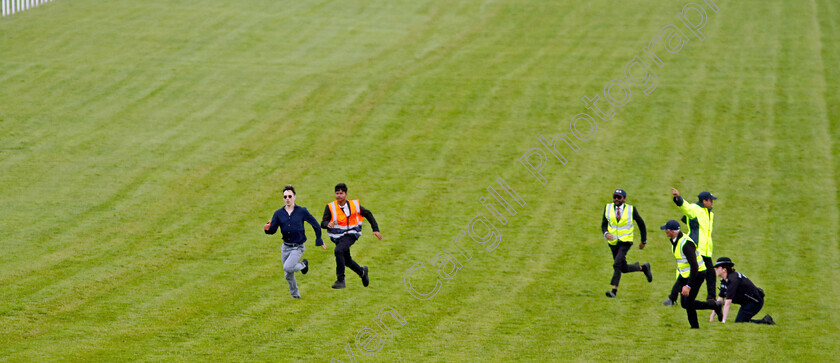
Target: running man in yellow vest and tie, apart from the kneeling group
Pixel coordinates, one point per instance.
(617, 226)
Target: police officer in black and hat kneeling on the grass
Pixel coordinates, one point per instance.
(737, 288)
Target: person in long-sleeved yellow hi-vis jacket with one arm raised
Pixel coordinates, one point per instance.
(700, 221)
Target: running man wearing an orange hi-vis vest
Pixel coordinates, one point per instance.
(343, 222)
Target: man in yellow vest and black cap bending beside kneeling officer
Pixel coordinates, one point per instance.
(691, 272)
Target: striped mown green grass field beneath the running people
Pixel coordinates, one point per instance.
(143, 144)
